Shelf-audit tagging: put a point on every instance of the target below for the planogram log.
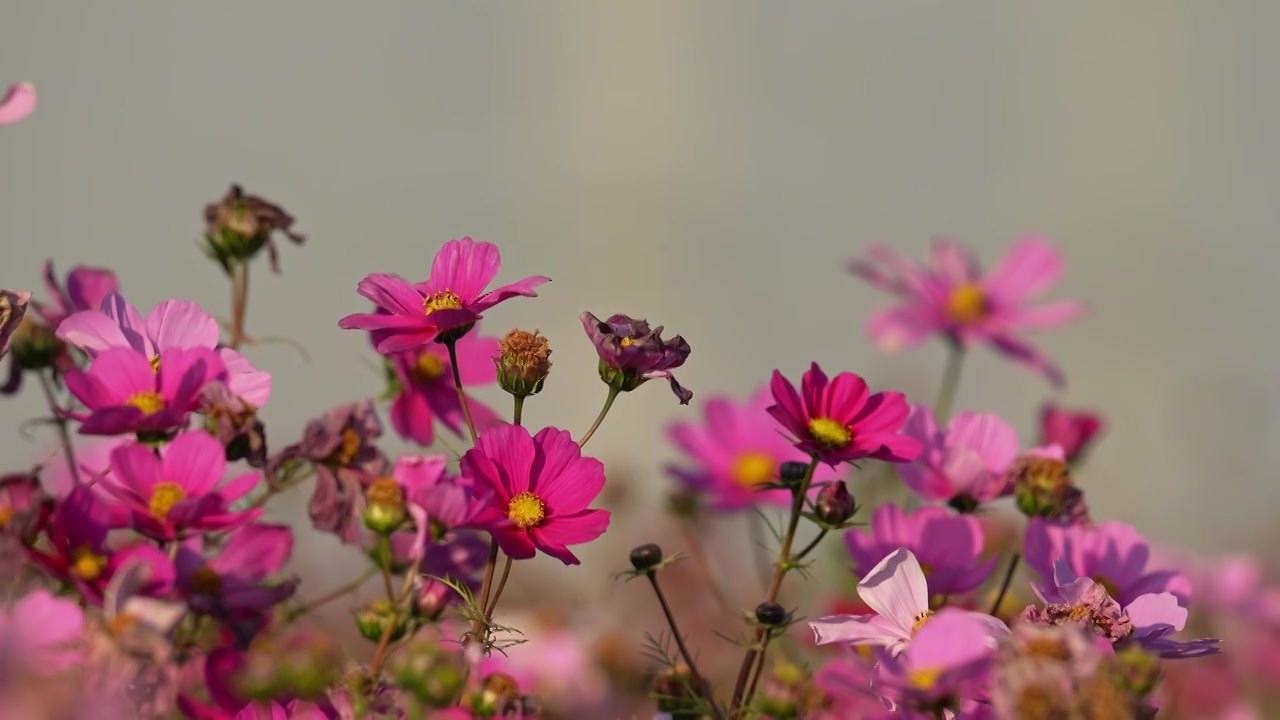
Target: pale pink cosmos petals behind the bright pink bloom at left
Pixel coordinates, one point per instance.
(175, 325)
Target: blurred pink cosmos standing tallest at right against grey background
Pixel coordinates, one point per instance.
(952, 298)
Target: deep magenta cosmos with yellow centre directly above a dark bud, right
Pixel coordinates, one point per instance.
(839, 421)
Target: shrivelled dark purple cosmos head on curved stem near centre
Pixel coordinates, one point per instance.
(632, 353)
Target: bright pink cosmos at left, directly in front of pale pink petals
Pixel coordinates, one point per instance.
(127, 394)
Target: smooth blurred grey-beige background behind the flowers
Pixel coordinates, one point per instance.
(708, 166)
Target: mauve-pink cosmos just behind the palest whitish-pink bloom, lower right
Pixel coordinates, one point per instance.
(947, 546)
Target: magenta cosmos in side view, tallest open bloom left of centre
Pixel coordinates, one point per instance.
(445, 307)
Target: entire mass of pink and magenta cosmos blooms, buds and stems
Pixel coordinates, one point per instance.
(147, 584)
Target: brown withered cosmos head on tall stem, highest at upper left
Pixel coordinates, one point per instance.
(239, 226)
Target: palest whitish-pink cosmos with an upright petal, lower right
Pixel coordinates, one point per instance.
(898, 593)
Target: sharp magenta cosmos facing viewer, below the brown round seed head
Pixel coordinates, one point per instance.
(542, 486)
